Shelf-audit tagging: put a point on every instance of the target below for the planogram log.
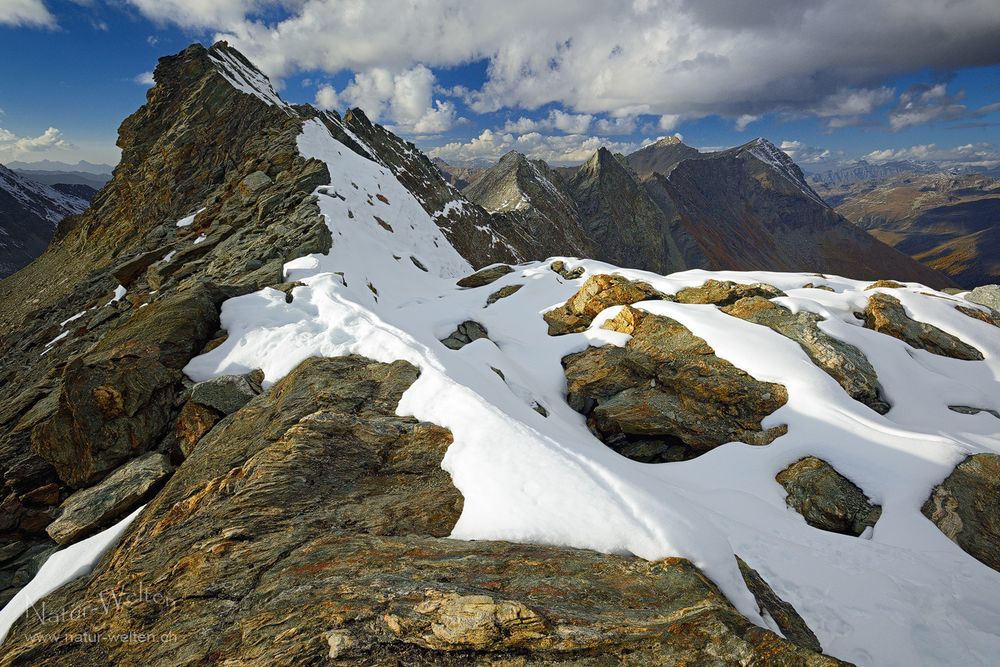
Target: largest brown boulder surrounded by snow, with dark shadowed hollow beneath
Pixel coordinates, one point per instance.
(666, 389)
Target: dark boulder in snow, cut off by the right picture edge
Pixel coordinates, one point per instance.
(966, 507)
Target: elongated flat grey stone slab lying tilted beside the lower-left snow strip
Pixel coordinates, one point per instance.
(88, 510)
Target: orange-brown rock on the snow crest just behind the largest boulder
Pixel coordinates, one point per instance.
(597, 293)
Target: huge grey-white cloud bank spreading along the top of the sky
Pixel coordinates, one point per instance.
(619, 57)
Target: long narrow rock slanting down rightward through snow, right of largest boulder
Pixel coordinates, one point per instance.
(842, 361)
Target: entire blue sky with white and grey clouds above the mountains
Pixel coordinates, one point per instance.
(830, 81)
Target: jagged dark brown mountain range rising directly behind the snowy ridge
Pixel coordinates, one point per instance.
(669, 207)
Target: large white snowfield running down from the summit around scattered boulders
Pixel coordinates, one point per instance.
(902, 595)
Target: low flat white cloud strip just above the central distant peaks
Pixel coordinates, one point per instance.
(489, 146)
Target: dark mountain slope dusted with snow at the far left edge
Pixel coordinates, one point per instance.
(29, 213)
